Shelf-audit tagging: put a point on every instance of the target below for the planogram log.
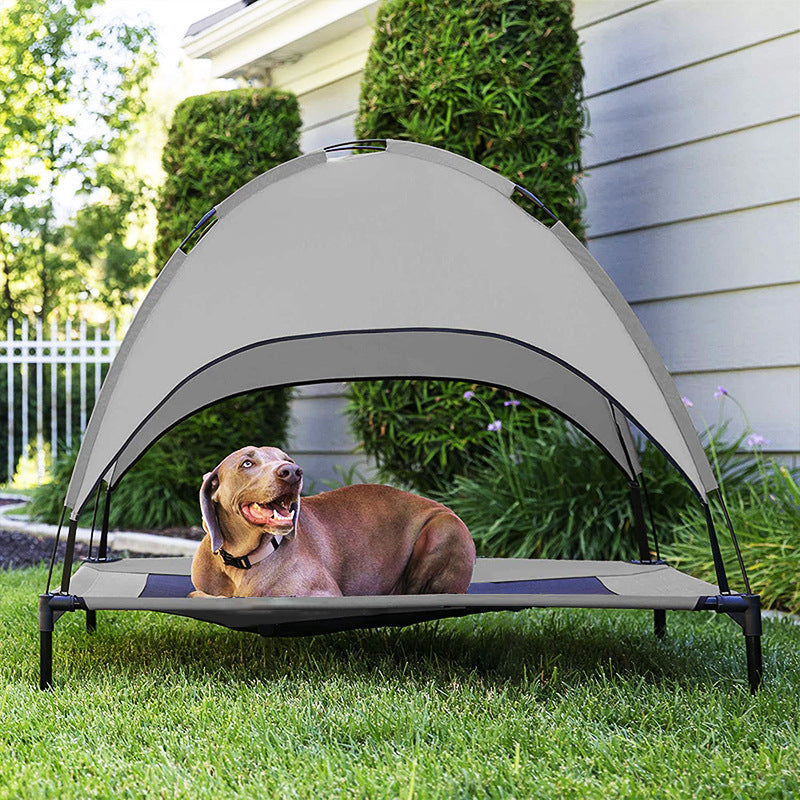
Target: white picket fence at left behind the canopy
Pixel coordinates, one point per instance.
(74, 345)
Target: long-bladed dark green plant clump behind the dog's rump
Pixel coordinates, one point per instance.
(547, 491)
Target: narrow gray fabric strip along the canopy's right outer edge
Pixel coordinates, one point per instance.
(704, 476)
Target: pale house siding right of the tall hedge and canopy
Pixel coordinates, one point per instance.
(693, 193)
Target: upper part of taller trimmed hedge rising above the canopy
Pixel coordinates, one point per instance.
(498, 81)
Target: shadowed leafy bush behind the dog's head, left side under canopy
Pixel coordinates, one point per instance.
(161, 489)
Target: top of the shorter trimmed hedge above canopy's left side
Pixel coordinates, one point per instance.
(217, 143)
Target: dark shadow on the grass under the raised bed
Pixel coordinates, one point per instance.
(538, 649)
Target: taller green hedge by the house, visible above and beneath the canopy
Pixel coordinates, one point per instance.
(498, 81)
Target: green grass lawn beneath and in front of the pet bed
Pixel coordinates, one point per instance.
(539, 704)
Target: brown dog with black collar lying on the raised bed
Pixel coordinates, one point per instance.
(358, 540)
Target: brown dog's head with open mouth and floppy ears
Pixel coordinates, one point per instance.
(252, 492)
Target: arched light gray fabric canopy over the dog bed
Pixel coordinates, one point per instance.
(405, 262)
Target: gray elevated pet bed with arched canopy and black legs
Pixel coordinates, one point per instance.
(400, 261)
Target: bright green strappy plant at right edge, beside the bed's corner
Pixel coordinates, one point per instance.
(766, 518)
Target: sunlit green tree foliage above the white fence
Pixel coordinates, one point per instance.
(72, 92)
